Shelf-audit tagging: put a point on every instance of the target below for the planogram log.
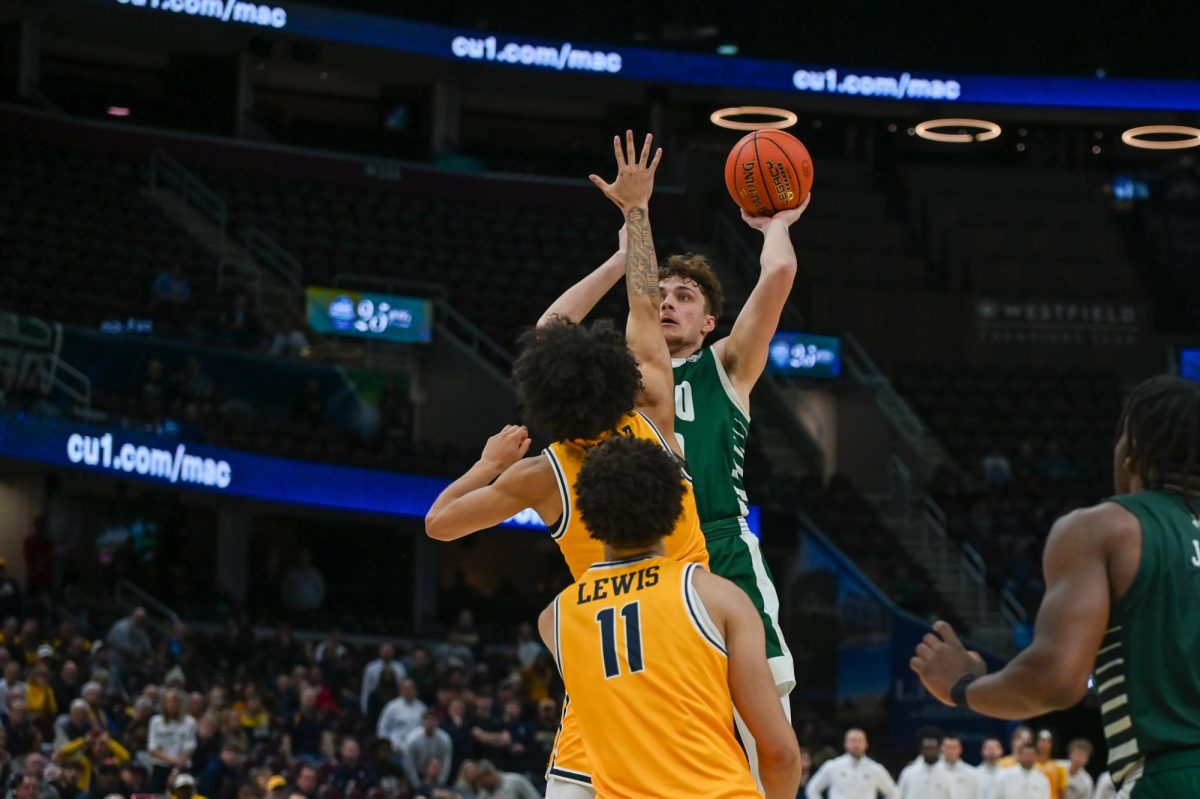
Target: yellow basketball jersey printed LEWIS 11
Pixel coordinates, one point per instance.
(647, 676)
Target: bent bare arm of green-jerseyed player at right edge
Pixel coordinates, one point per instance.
(1090, 561)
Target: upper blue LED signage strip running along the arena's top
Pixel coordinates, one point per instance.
(667, 67)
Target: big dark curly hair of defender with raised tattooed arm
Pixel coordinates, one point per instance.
(575, 382)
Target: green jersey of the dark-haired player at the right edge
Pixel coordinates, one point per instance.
(1148, 670)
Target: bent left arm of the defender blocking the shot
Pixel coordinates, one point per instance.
(527, 484)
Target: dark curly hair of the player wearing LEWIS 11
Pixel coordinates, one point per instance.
(629, 492)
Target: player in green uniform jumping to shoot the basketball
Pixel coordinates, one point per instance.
(713, 388)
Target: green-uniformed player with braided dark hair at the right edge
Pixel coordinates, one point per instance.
(1123, 605)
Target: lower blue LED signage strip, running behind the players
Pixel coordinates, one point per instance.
(134, 455)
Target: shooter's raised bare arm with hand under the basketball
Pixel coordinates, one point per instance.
(743, 353)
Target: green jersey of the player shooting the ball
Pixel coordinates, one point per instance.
(712, 426)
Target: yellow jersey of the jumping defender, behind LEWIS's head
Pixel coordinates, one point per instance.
(580, 550)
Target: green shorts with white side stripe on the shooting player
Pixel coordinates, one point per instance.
(734, 554)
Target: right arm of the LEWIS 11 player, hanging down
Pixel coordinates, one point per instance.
(752, 684)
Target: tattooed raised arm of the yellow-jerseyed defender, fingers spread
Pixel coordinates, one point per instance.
(632, 194)
